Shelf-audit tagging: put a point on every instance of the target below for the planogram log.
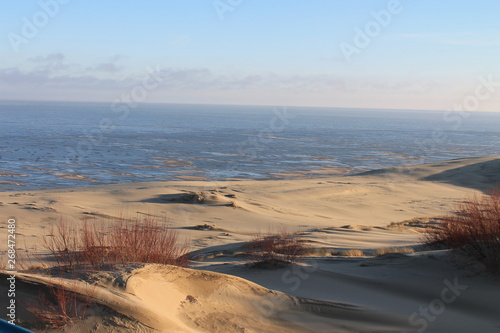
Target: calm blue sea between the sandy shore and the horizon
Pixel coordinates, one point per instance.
(56, 144)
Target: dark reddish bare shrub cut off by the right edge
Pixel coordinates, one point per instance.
(473, 230)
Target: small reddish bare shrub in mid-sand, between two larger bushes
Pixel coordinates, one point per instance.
(276, 249)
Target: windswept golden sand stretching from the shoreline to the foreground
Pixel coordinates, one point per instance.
(323, 293)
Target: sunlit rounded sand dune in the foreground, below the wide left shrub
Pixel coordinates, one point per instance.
(172, 299)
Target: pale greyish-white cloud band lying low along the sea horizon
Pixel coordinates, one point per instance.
(46, 81)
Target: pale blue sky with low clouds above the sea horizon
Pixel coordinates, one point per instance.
(389, 54)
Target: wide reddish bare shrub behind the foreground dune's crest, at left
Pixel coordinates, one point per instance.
(100, 243)
